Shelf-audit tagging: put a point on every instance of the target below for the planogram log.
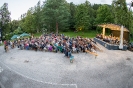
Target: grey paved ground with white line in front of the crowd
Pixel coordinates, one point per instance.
(30, 69)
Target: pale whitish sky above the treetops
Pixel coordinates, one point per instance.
(18, 7)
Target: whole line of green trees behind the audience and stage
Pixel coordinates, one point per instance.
(59, 15)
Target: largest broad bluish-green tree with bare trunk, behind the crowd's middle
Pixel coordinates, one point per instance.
(56, 15)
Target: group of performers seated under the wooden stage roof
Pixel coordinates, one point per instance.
(111, 39)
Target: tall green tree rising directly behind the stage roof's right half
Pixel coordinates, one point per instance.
(120, 12)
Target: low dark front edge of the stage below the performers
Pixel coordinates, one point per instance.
(109, 46)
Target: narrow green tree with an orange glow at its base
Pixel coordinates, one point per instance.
(82, 17)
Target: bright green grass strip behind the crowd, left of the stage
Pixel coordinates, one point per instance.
(88, 34)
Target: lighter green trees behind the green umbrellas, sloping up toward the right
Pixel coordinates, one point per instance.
(31, 21)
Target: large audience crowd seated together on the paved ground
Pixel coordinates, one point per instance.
(54, 43)
